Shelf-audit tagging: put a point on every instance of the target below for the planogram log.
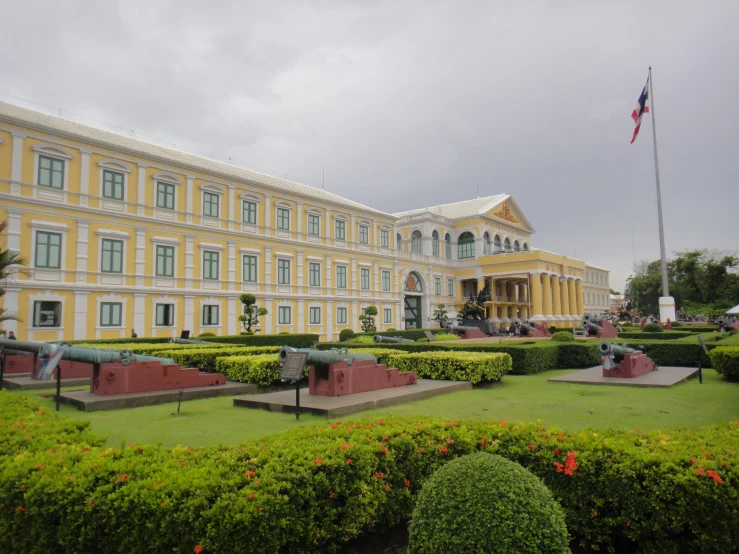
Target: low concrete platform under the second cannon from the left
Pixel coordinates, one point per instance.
(88, 402)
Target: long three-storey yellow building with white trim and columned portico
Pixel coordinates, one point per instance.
(121, 234)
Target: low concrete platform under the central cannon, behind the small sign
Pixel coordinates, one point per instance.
(335, 406)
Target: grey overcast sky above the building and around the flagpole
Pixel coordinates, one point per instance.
(409, 104)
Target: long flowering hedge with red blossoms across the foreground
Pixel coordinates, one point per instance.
(313, 489)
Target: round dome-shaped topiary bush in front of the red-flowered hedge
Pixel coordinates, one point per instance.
(485, 503)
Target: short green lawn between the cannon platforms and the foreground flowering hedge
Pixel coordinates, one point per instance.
(526, 398)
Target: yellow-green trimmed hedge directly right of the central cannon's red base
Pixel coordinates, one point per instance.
(454, 366)
